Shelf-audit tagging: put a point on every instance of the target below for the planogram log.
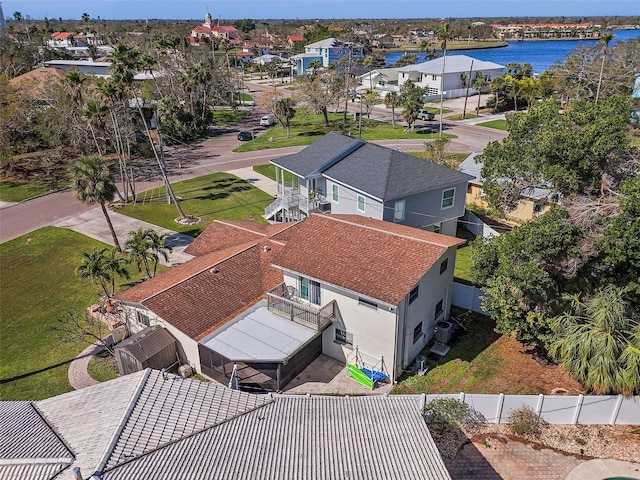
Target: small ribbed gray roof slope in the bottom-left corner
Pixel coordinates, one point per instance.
(25, 435)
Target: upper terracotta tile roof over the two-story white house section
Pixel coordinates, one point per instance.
(374, 258)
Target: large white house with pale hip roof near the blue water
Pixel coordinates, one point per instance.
(444, 74)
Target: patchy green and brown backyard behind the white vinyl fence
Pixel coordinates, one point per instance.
(481, 361)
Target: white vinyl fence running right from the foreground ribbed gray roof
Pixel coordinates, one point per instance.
(558, 409)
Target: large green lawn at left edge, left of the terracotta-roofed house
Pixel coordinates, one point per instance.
(37, 284)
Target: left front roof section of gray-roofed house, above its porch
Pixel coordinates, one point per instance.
(320, 154)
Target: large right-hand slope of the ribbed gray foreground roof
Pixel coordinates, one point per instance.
(303, 438)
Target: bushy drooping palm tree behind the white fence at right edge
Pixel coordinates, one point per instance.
(598, 341)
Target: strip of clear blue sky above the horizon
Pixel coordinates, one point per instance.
(312, 9)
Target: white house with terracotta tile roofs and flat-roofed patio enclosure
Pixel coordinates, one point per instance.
(270, 299)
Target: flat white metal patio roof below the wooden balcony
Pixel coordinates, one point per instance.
(260, 335)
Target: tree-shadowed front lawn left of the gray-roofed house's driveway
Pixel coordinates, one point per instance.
(218, 196)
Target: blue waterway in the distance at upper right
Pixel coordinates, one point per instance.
(541, 54)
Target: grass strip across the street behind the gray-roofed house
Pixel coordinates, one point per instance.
(307, 128)
